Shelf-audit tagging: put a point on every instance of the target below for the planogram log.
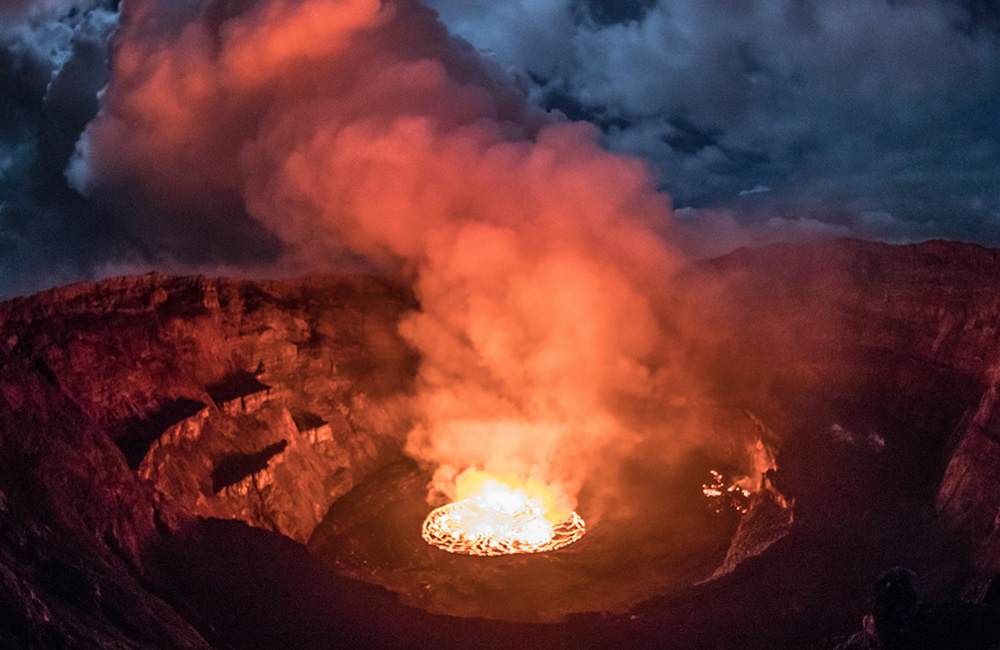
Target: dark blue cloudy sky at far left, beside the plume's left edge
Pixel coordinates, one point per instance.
(53, 61)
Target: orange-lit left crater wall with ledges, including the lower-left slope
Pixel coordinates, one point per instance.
(130, 406)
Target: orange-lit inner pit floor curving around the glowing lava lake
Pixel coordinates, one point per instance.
(649, 531)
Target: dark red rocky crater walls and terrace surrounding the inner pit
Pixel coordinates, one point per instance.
(137, 413)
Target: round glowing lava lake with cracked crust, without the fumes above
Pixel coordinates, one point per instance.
(465, 527)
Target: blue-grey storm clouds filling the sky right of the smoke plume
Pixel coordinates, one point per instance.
(873, 118)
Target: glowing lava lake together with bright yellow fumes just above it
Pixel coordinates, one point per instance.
(501, 516)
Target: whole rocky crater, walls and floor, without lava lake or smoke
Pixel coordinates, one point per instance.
(863, 452)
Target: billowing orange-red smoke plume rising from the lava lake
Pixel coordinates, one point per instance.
(344, 128)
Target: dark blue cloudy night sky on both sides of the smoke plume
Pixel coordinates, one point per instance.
(764, 120)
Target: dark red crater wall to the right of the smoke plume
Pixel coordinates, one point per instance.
(912, 332)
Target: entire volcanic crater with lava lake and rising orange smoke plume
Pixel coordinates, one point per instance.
(521, 314)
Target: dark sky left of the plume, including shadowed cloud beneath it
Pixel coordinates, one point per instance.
(54, 59)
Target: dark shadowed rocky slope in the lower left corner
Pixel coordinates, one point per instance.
(73, 526)
